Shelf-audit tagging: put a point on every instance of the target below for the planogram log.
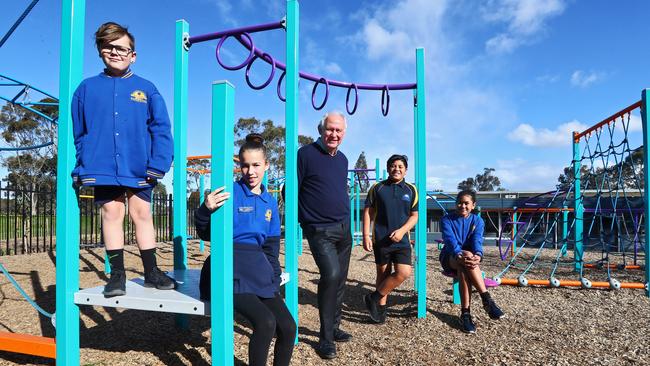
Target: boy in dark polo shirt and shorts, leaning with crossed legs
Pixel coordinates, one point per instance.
(392, 205)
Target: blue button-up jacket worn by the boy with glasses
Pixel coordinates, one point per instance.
(122, 131)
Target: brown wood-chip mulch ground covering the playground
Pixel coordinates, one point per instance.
(565, 326)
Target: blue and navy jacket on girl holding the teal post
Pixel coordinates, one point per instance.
(256, 238)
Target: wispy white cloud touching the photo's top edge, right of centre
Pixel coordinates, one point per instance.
(525, 19)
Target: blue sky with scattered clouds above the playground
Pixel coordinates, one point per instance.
(507, 80)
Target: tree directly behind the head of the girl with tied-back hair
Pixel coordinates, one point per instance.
(273, 139)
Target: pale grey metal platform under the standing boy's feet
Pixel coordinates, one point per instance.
(183, 300)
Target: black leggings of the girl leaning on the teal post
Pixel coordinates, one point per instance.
(268, 317)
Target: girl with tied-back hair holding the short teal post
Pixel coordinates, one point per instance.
(256, 268)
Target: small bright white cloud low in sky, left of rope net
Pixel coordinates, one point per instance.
(544, 137)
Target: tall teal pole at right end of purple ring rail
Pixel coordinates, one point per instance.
(421, 182)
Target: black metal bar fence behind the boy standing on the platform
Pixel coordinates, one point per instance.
(28, 220)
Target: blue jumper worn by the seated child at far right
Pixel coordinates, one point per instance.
(459, 233)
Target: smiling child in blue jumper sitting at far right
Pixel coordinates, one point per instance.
(462, 233)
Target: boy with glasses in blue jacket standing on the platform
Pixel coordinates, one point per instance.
(122, 136)
